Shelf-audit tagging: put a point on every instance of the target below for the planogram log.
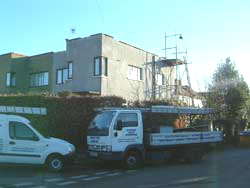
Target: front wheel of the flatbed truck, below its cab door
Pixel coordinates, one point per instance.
(133, 160)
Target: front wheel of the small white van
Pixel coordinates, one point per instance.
(55, 163)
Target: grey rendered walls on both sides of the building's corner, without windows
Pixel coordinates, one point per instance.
(82, 51)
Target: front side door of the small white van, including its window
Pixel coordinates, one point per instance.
(23, 145)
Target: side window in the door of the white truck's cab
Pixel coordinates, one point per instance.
(128, 119)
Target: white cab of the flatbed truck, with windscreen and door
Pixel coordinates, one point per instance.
(113, 132)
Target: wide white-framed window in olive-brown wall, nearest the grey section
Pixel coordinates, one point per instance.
(39, 79)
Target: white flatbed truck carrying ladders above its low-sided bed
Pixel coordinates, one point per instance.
(122, 134)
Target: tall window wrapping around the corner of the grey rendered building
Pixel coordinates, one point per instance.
(100, 66)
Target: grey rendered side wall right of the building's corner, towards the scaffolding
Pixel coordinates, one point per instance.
(120, 56)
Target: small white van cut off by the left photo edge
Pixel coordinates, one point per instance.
(20, 143)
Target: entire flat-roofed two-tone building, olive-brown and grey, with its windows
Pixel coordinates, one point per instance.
(97, 64)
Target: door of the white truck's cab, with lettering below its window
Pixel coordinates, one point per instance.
(126, 131)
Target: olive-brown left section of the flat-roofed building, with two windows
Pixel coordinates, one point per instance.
(24, 74)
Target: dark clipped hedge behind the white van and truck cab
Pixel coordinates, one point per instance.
(67, 118)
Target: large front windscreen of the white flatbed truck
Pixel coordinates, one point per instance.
(99, 126)
